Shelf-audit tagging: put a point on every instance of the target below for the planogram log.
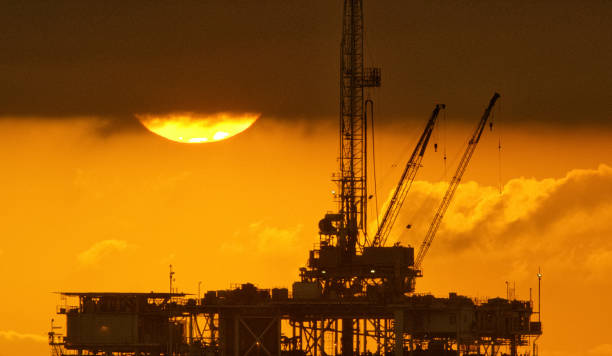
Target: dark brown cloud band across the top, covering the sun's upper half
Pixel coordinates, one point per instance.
(549, 59)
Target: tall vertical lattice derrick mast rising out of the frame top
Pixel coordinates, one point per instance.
(353, 165)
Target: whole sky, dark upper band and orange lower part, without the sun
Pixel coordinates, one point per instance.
(93, 201)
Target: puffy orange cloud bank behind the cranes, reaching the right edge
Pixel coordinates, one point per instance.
(563, 219)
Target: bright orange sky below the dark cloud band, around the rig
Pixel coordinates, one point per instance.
(85, 212)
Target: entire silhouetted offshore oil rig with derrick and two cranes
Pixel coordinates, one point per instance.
(355, 297)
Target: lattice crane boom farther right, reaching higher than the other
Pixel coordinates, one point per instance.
(433, 228)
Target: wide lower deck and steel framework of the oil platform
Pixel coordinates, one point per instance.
(250, 321)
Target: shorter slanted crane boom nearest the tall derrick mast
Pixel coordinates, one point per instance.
(405, 182)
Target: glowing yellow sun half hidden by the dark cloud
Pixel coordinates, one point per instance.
(197, 128)
